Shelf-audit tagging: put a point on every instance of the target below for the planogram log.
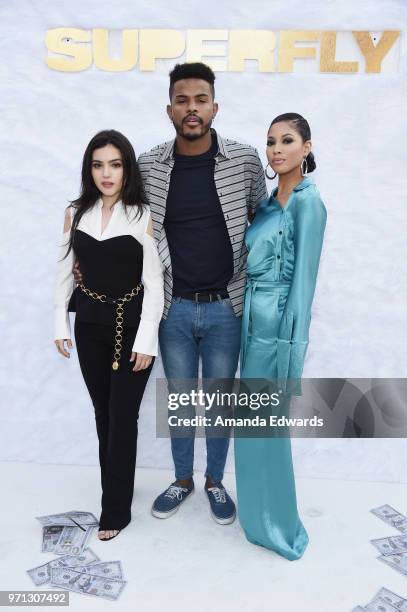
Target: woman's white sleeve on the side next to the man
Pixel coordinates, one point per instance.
(146, 340)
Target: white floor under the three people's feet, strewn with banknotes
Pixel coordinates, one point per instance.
(188, 561)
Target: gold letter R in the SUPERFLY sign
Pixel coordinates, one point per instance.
(251, 44)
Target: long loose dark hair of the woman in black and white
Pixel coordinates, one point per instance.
(132, 192)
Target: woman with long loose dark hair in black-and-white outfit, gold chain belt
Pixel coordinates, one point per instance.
(118, 303)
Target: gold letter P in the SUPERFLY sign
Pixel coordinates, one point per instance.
(159, 44)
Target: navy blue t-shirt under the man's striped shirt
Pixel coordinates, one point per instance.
(198, 240)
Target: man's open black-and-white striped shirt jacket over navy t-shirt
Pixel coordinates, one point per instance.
(240, 183)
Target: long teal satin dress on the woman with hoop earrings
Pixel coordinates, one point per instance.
(284, 245)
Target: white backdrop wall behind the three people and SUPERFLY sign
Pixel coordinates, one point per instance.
(47, 118)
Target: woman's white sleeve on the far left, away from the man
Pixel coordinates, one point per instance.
(64, 285)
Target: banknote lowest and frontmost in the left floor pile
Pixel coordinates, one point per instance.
(80, 582)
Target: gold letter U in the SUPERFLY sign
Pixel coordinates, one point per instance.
(101, 50)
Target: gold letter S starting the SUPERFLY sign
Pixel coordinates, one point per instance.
(64, 41)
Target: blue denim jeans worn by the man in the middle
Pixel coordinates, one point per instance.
(209, 330)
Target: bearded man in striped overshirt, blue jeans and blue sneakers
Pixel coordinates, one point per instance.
(201, 189)
